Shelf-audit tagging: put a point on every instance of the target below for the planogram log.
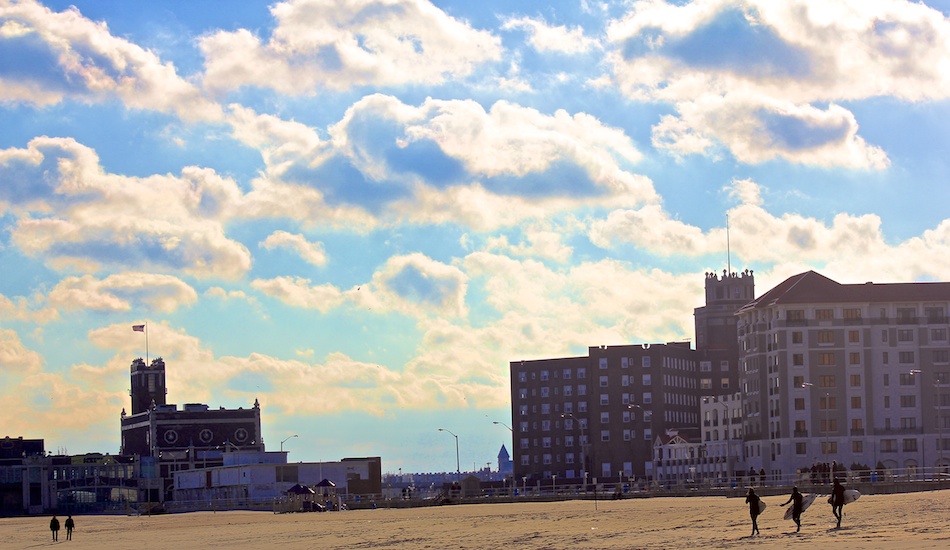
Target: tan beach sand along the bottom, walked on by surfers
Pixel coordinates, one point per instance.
(912, 520)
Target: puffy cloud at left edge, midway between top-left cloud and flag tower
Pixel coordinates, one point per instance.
(73, 214)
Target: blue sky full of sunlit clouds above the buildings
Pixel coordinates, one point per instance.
(359, 212)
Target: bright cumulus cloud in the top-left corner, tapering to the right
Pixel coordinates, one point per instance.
(65, 55)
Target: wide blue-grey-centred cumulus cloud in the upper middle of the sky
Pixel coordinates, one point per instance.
(441, 161)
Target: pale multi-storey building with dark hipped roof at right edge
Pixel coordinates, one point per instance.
(853, 373)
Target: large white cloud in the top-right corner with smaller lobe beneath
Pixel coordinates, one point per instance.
(757, 92)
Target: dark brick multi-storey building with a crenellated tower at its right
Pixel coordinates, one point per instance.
(599, 416)
